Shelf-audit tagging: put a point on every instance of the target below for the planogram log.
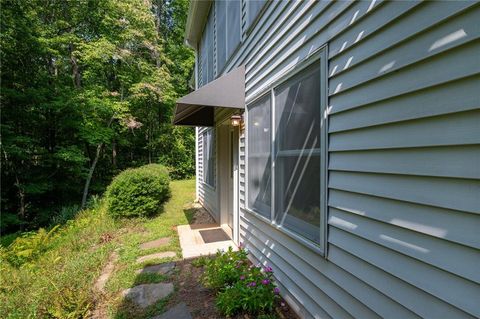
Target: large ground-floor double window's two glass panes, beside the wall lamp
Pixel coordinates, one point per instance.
(290, 129)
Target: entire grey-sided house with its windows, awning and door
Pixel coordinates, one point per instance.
(340, 142)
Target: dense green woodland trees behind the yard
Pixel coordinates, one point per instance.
(87, 89)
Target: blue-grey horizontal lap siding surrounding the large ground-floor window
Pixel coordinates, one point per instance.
(404, 134)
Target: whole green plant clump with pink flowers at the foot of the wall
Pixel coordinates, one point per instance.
(241, 287)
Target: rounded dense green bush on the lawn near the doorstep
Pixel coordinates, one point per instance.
(138, 192)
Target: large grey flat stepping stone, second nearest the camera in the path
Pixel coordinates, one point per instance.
(148, 294)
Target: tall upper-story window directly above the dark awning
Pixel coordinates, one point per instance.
(228, 30)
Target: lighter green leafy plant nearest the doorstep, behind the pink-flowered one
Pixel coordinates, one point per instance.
(225, 269)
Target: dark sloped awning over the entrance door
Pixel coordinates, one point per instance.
(198, 107)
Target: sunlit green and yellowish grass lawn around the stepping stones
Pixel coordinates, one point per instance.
(59, 282)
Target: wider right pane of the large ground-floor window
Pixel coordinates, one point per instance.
(297, 154)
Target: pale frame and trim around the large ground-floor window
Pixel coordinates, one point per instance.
(318, 56)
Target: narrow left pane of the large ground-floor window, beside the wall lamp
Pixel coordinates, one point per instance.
(259, 156)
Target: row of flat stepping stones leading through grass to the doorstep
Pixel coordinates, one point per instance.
(146, 295)
